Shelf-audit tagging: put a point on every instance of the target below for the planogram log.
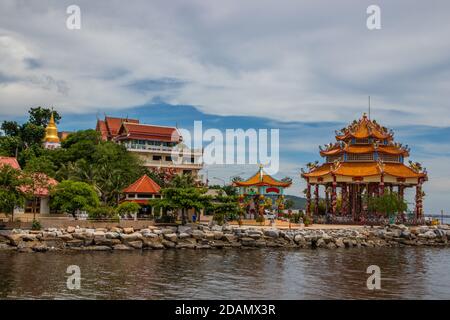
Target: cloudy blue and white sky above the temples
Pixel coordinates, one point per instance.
(303, 67)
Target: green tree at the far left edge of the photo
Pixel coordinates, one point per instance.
(11, 195)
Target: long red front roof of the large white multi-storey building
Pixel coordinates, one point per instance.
(148, 132)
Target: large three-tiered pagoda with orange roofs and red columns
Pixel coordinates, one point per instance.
(362, 163)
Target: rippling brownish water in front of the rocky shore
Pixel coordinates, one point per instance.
(407, 273)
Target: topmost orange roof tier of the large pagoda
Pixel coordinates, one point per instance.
(363, 129)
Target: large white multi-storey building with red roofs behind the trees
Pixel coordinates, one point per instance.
(153, 144)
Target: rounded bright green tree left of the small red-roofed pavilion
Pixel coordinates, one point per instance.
(73, 196)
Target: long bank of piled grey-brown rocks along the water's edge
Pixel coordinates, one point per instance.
(220, 237)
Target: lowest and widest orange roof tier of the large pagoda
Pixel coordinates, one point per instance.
(365, 169)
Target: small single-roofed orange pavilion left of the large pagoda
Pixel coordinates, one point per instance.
(254, 192)
